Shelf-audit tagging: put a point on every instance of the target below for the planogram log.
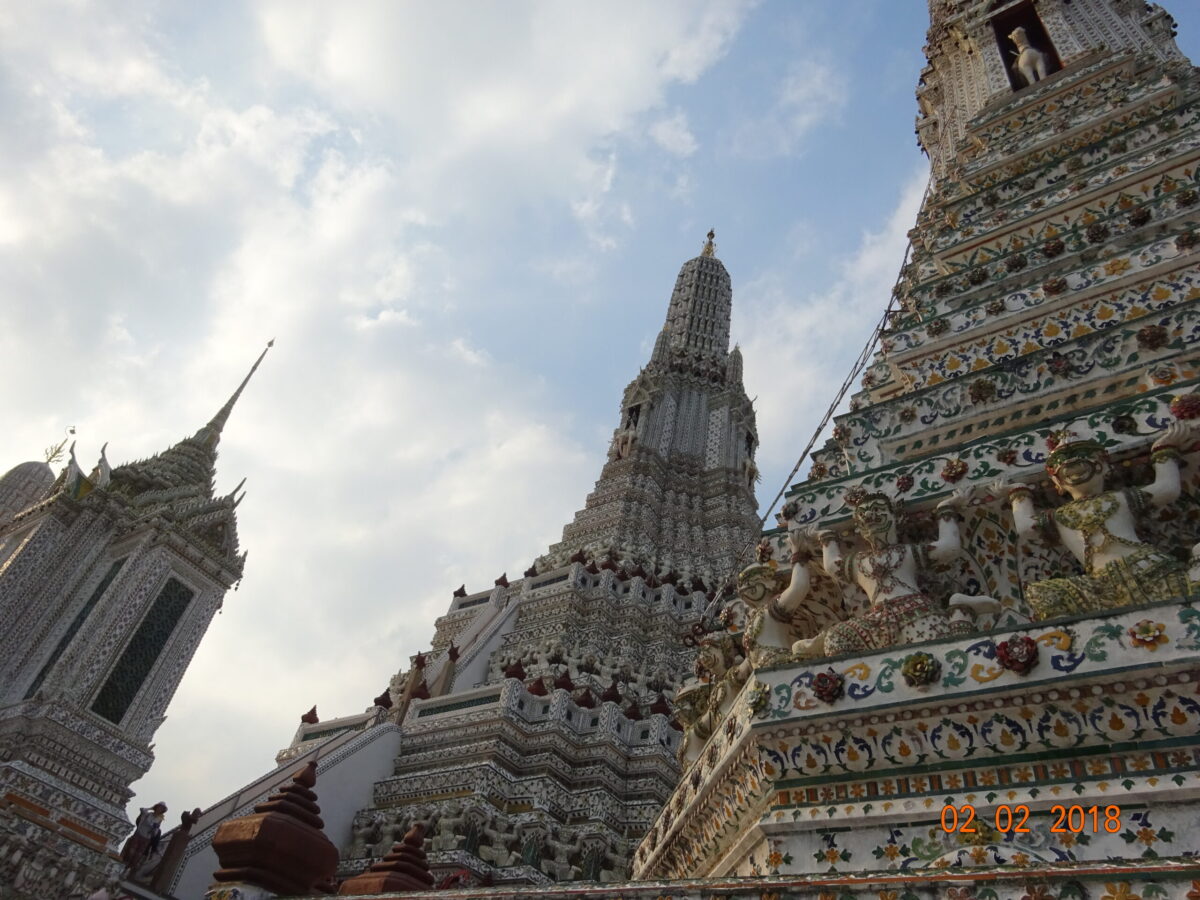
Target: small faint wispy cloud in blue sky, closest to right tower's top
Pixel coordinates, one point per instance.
(813, 92)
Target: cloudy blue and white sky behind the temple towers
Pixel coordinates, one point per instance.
(461, 223)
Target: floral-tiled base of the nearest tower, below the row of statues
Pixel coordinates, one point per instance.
(1054, 745)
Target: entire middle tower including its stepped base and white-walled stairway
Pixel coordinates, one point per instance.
(537, 739)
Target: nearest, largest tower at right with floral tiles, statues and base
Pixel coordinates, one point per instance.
(1052, 292)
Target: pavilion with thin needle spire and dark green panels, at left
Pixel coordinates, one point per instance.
(107, 585)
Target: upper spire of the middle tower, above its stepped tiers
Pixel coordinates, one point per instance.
(677, 490)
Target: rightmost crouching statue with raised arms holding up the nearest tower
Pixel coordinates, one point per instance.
(1100, 529)
